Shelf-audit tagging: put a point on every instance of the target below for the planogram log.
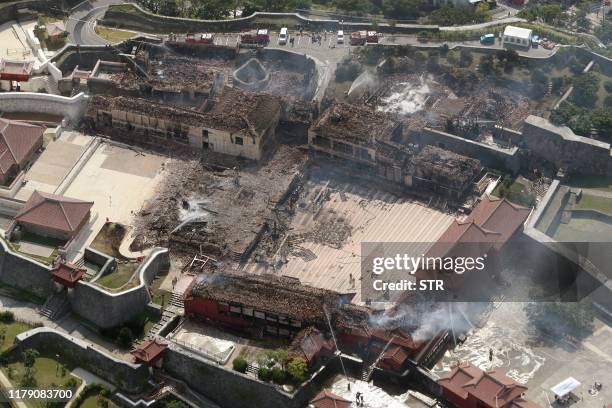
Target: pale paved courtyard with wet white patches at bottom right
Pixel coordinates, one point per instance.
(539, 361)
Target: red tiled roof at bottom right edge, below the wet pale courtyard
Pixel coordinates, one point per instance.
(493, 388)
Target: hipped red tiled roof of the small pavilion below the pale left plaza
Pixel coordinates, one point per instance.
(54, 212)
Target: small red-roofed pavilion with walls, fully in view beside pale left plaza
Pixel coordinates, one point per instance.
(53, 216)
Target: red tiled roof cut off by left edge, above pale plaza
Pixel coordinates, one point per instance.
(16, 141)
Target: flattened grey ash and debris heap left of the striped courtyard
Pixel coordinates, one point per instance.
(218, 213)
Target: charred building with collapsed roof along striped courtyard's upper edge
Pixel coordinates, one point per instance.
(376, 139)
